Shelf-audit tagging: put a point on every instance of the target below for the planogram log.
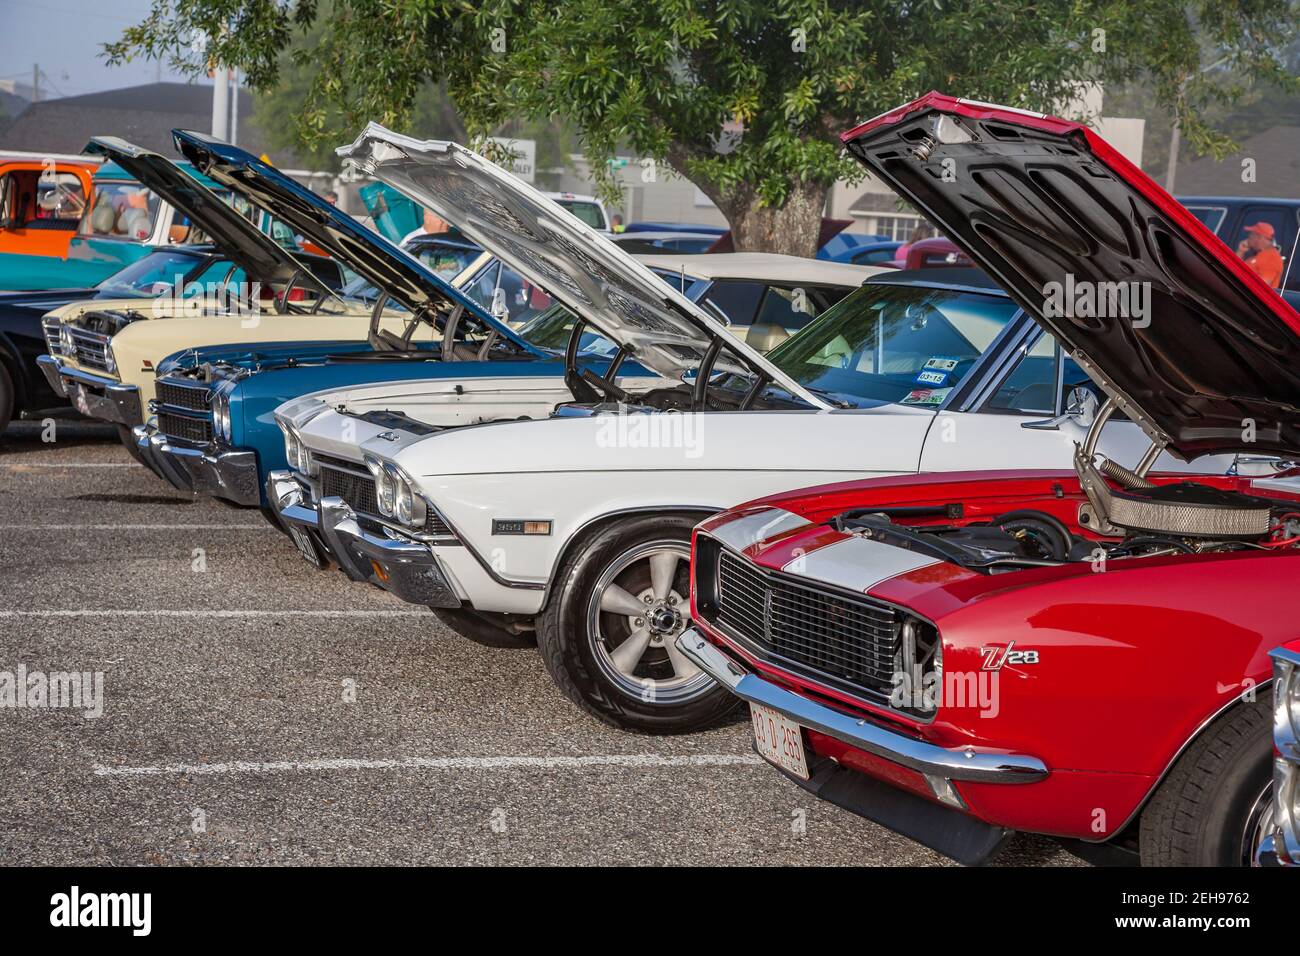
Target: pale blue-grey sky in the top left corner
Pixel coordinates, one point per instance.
(67, 37)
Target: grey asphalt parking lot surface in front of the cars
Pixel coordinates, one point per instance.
(228, 734)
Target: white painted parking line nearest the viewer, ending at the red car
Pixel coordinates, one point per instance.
(294, 767)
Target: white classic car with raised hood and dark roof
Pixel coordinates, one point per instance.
(579, 525)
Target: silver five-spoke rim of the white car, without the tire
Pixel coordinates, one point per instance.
(639, 609)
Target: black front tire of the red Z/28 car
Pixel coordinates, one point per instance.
(1203, 814)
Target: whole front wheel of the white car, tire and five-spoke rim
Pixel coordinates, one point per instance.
(609, 634)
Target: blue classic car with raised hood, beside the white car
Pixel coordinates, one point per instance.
(211, 427)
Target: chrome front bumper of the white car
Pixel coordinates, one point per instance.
(401, 566)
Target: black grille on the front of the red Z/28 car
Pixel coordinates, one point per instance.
(820, 633)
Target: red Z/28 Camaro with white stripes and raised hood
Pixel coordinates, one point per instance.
(1086, 654)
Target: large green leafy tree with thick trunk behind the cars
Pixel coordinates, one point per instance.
(746, 98)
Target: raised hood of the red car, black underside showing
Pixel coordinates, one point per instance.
(1191, 344)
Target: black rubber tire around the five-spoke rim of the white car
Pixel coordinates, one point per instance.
(570, 647)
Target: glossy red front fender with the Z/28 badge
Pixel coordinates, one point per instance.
(1126, 668)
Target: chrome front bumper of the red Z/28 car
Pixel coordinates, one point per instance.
(916, 755)
